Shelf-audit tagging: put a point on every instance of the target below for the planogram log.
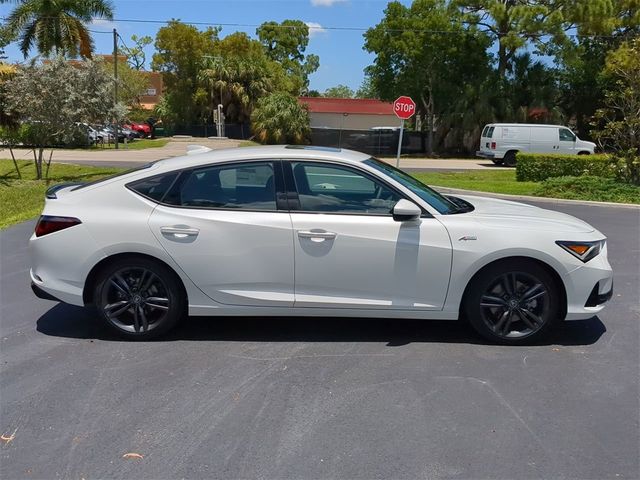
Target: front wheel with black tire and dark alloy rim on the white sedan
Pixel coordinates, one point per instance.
(497, 309)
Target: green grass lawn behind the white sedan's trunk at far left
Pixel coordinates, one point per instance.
(22, 199)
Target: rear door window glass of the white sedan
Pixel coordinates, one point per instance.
(248, 186)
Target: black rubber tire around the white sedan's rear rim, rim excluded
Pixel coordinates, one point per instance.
(174, 289)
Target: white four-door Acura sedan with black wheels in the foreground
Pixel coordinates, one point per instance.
(310, 231)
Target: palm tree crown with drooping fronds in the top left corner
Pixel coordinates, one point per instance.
(56, 26)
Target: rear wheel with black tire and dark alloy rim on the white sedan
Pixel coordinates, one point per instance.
(139, 298)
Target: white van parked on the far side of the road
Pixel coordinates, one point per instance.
(501, 141)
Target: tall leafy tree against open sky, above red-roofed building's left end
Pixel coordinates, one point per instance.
(286, 43)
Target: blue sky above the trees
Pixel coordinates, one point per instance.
(342, 59)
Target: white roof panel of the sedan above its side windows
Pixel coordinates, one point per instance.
(299, 152)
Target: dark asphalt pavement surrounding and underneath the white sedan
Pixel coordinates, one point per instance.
(321, 397)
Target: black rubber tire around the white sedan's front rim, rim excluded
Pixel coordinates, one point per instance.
(478, 286)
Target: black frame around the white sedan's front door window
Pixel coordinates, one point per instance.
(292, 192)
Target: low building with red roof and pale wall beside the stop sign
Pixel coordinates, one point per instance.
(349, 113)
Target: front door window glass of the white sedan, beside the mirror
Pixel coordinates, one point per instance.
(337, 189)
